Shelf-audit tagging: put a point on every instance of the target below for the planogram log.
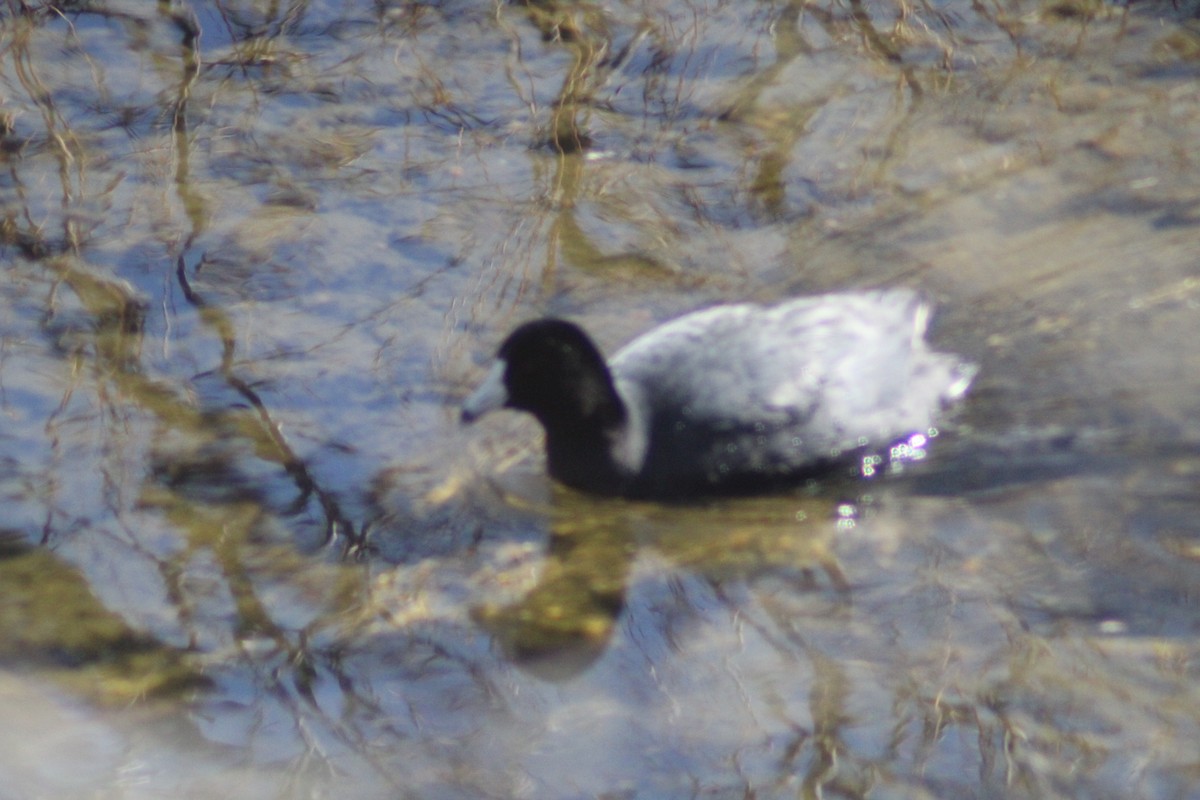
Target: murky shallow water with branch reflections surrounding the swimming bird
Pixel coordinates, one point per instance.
(248, 552)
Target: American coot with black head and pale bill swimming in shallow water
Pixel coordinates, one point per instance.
(733, 399)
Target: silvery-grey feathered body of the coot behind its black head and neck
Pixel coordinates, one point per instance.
(748, 393)
